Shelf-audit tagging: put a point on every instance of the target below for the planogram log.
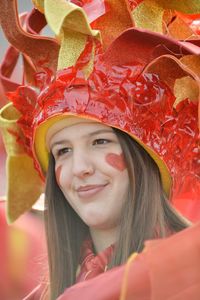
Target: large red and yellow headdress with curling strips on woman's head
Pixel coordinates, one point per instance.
(143, 83)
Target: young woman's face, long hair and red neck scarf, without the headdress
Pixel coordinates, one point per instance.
(103, 191)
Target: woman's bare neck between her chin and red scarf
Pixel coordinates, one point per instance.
(102, 239)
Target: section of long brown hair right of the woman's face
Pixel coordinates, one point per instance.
(147, 213)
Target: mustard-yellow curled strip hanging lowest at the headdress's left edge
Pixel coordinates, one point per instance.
(21, 193)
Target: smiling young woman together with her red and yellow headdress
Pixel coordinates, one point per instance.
(106, 137)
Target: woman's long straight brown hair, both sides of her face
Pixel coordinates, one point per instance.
(147, 214)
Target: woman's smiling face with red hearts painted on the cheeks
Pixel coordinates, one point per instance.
(91, 172)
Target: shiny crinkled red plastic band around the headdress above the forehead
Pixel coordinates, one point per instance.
(124, 98)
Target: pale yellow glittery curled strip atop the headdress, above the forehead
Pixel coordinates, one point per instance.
(70, 23)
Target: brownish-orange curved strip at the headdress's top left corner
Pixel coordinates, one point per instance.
(34, 46)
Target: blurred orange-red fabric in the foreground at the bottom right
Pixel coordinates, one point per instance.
(167, 269)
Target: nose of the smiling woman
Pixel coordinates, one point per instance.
(82, 164)
